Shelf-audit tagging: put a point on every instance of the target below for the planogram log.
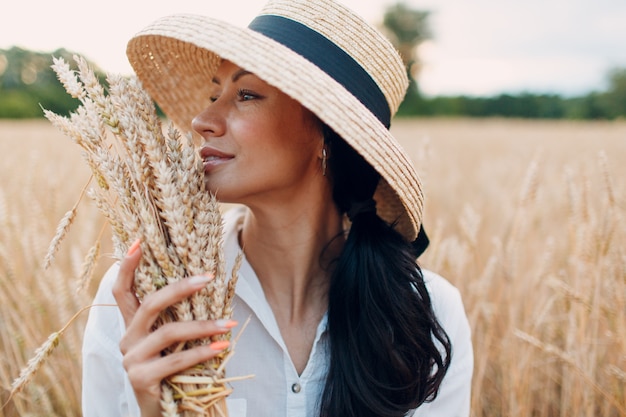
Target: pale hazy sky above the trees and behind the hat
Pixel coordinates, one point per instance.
(478, 47)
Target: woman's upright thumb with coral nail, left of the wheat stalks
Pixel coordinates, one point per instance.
(123, 287)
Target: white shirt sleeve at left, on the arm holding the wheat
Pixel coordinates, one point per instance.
(106, 390)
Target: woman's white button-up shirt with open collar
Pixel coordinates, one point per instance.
(276, 390)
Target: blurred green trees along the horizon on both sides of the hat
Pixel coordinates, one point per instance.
(27, 83)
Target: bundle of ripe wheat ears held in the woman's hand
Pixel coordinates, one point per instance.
(150, 186)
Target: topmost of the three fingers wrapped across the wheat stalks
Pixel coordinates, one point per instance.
(153, 304)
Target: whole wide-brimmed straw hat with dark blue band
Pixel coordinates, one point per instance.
(316, 51)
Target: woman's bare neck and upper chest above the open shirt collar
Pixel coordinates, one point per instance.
(291, 248)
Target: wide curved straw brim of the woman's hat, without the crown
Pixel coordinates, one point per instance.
(176, 57)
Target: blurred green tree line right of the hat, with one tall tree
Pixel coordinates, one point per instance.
(408, 28)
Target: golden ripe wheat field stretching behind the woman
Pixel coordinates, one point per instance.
(526, 218)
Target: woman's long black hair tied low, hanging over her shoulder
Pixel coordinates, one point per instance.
(384, 360)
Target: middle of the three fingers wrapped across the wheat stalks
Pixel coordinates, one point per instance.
(171, 334)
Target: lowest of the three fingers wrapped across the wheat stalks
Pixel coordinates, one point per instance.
(150, 373)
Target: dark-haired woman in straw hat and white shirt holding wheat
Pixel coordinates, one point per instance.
(293, 114)
